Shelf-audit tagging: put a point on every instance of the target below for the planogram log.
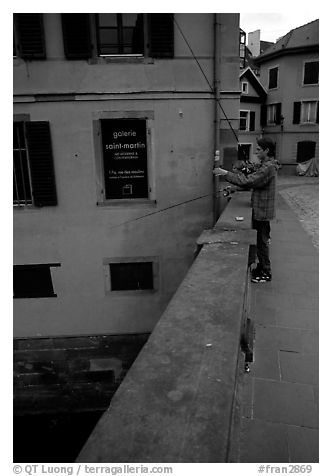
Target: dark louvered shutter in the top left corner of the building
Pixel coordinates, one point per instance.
(30, 35)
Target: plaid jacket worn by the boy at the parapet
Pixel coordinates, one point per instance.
(263, 183)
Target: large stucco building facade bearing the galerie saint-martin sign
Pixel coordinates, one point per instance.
(114, 127)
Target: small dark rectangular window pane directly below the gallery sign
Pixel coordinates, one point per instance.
(131, 276)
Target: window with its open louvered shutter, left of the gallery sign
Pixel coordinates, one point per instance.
(34, 180)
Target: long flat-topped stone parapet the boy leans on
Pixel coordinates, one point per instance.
(176, 403)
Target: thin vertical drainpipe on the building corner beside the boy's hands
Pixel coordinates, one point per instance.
(217, 163)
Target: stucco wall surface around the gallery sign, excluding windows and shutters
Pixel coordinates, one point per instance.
(81, 235)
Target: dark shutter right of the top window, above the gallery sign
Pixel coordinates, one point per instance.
(161, 35)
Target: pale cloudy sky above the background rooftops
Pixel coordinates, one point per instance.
(275, 25)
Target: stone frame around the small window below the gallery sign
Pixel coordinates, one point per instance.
(107, 262)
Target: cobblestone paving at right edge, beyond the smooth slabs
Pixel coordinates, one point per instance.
(302, 195)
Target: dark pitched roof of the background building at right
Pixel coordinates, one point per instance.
(303, 37)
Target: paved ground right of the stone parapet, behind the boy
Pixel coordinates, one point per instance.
(279, 399)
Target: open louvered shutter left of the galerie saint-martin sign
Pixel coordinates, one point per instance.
(41, 163)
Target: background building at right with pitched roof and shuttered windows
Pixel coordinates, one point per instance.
(289, 71)
